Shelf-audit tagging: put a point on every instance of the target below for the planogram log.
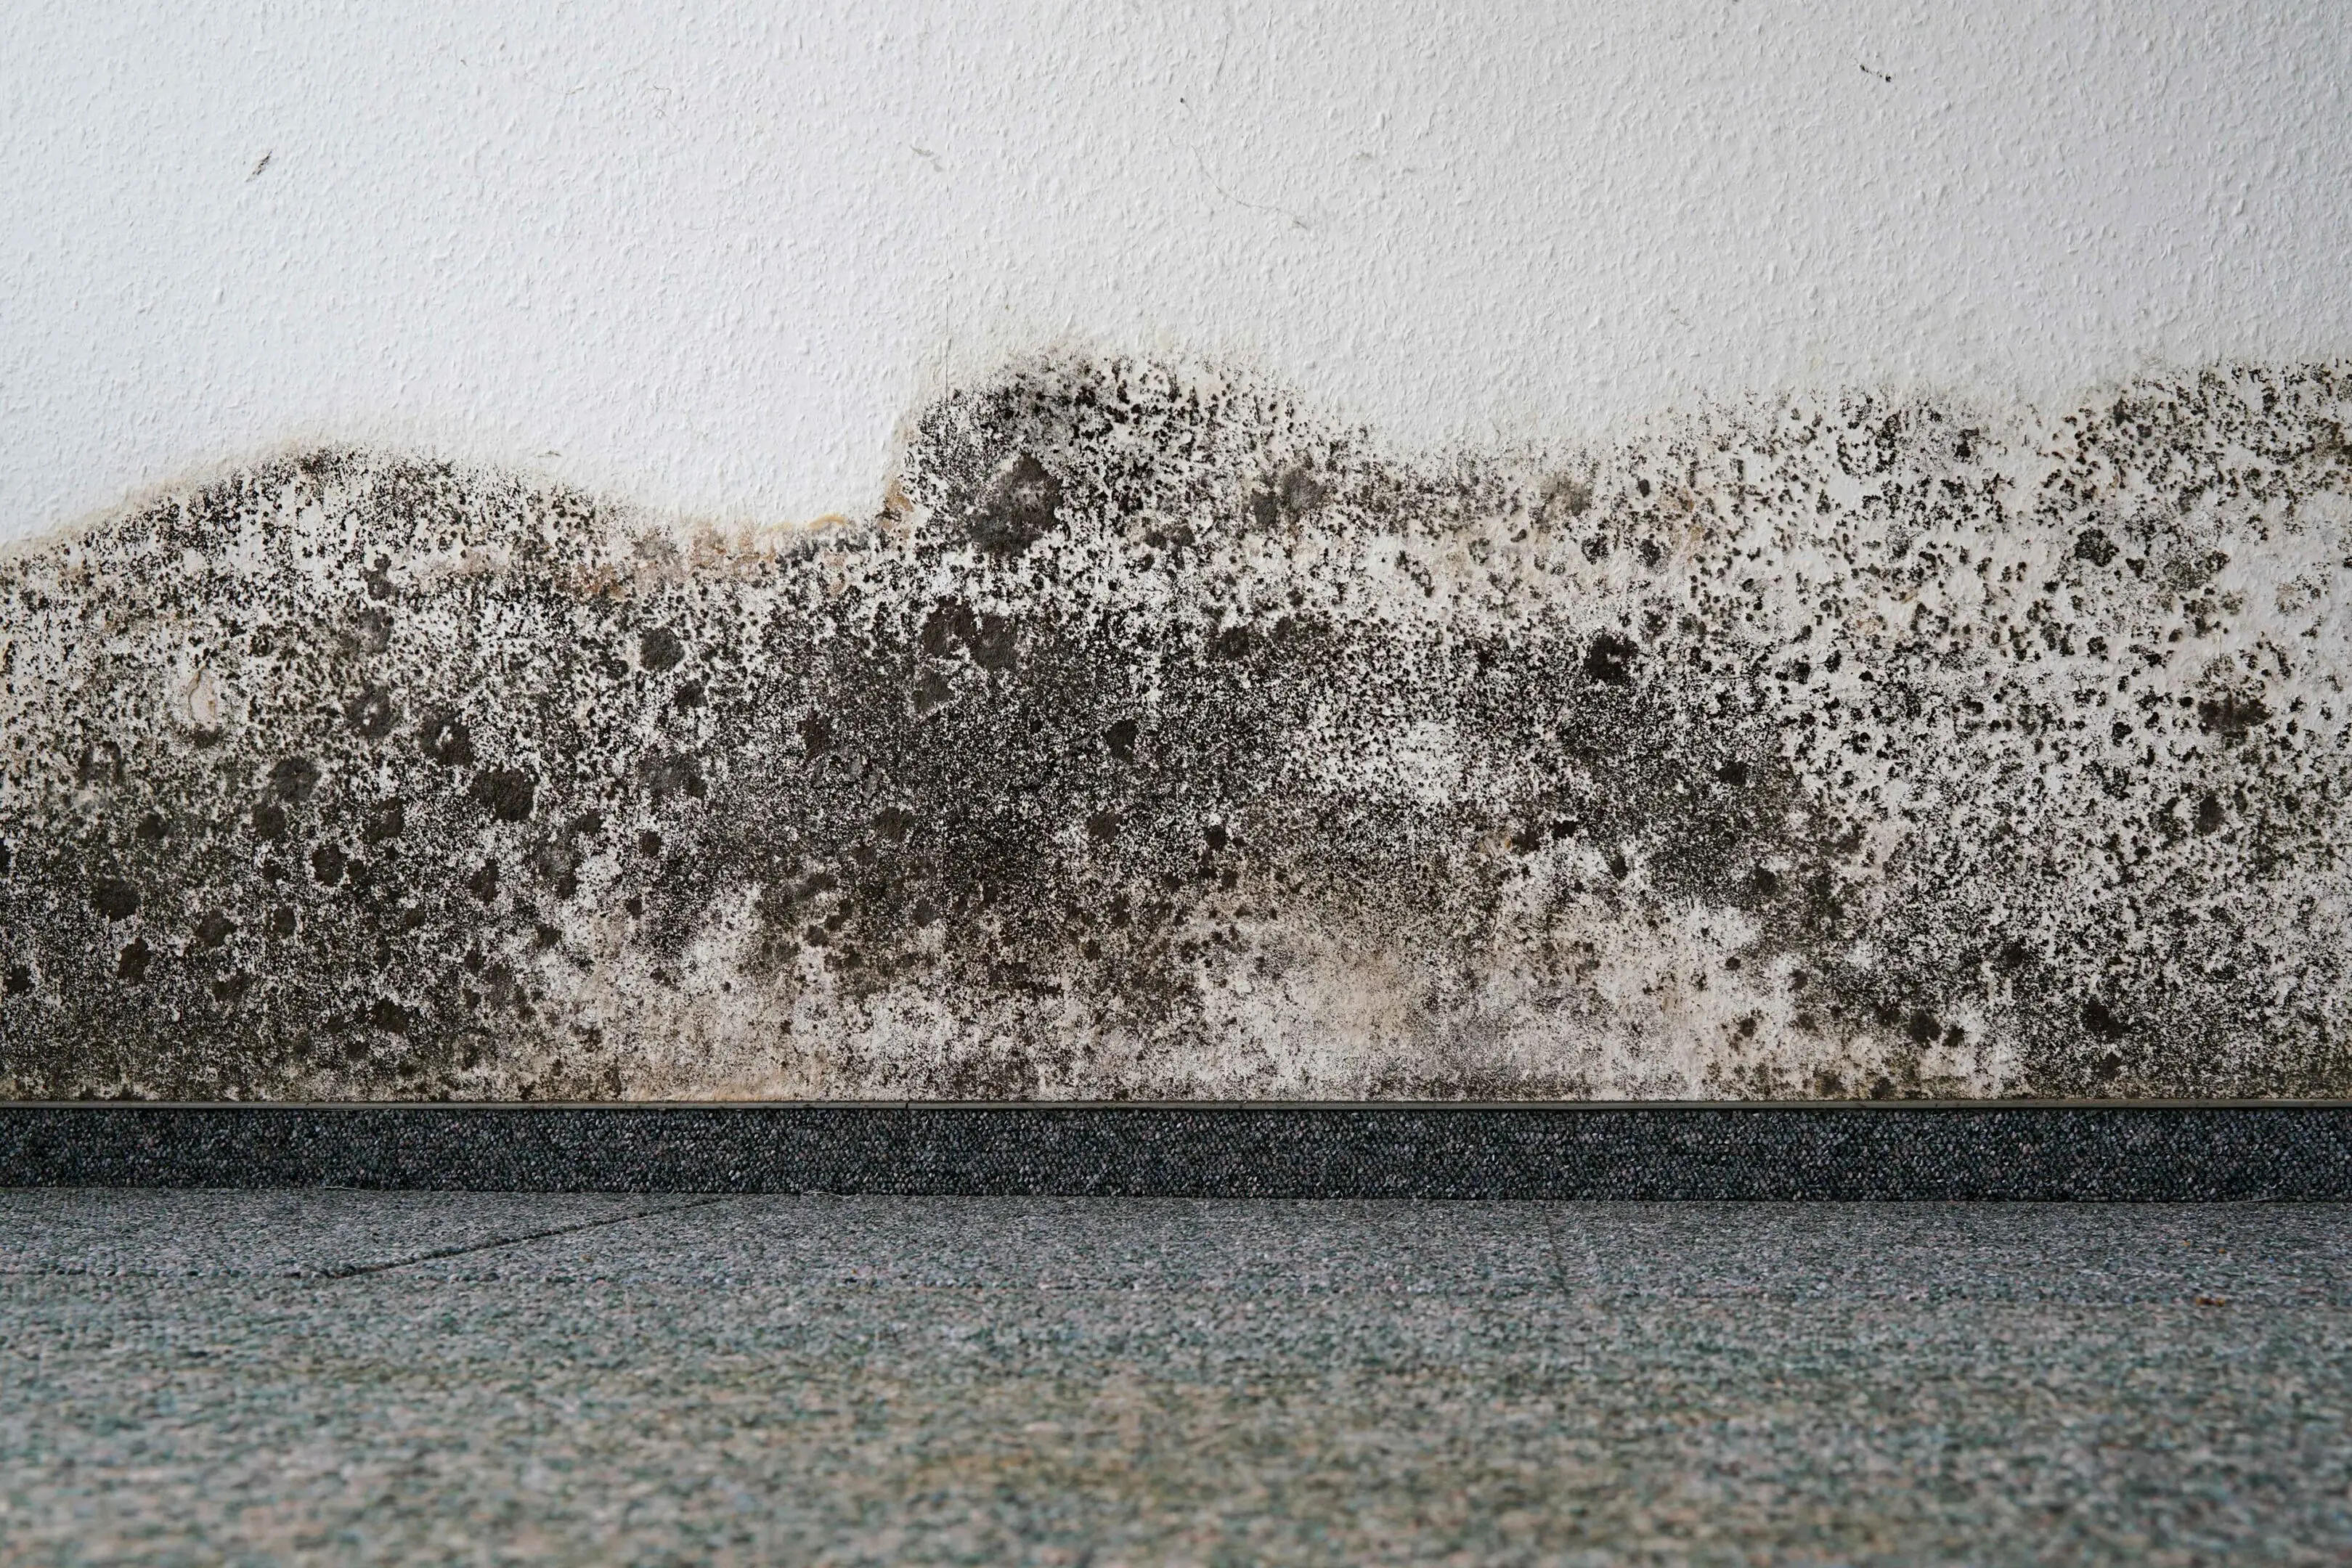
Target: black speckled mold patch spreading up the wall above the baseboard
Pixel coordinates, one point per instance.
(1161, 739)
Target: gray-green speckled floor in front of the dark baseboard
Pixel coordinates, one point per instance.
(476, 1379)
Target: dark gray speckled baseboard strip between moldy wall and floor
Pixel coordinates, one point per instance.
(2116, 1153)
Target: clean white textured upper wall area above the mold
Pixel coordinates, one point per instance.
(711, 255)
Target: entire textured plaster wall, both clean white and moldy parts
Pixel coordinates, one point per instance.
(1245, 556)
